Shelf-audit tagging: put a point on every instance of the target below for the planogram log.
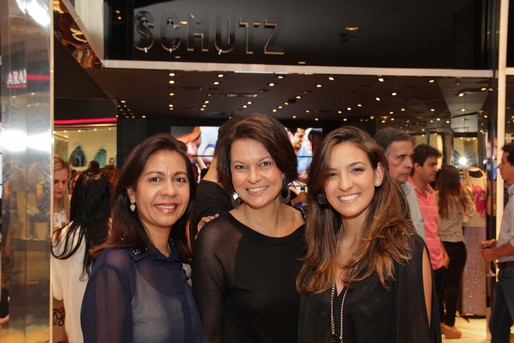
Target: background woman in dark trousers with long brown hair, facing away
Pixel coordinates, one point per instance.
(455, 204)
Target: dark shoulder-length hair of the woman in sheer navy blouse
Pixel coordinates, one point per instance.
(127, 230)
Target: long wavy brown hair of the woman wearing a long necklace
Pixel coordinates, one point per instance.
(386, 231)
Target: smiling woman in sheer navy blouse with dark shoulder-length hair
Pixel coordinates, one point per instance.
(138, 290)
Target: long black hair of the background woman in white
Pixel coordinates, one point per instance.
(89, 215)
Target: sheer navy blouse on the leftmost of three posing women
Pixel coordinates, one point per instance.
(135, 296)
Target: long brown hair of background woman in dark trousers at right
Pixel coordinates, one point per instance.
(449, 190)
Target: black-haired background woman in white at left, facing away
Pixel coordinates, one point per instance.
(71, 260)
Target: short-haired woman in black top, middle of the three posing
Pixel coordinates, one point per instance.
(246, 261)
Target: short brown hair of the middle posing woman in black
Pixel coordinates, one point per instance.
(271, 134)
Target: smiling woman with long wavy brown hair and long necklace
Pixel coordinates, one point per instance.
(366, 276)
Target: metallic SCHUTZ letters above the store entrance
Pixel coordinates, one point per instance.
(206, 33)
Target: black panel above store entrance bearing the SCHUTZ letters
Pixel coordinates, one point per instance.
(290, 32)
